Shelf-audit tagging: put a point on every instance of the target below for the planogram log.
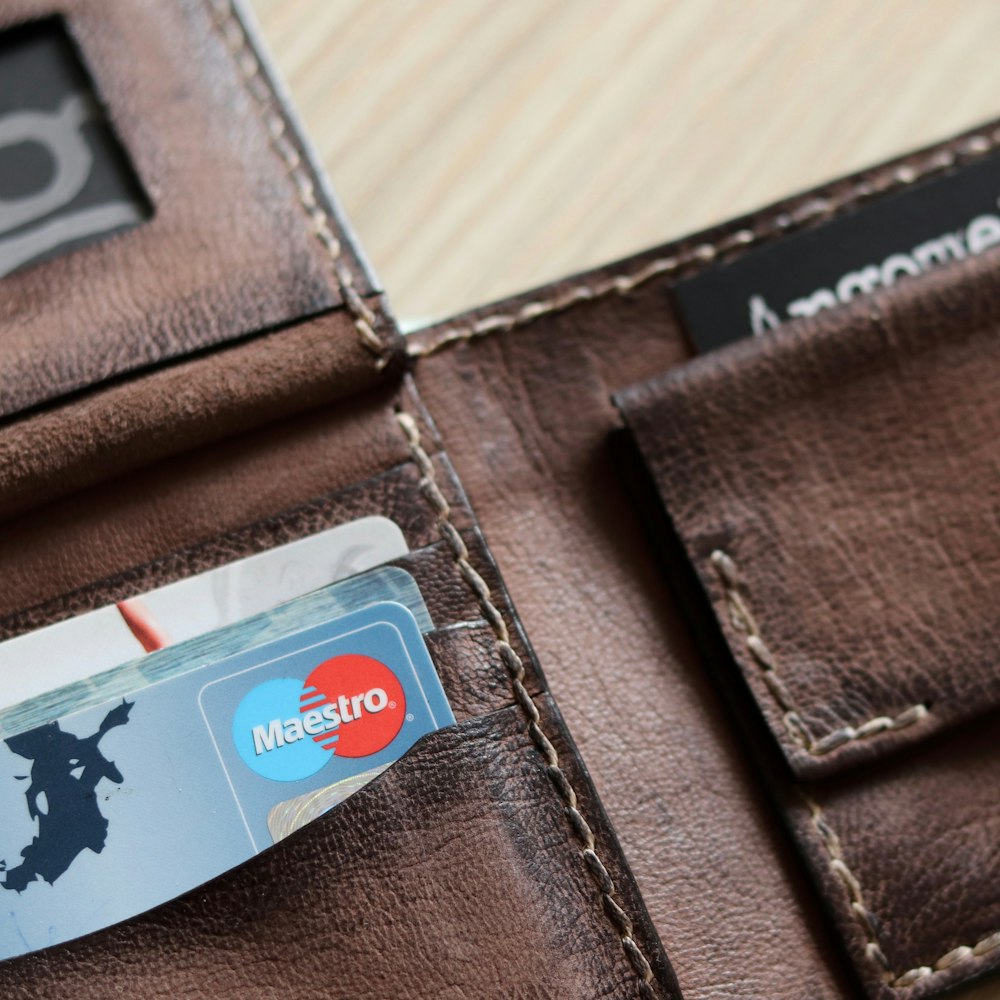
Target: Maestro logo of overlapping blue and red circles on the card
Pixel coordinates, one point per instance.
(350, 705)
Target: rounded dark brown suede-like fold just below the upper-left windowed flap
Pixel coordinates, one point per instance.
(192, 402)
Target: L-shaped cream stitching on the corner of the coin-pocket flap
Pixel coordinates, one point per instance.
(743, 621)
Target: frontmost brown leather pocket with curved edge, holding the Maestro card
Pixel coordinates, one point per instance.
(460, 850)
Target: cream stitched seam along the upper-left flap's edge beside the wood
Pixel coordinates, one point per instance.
(233, 33)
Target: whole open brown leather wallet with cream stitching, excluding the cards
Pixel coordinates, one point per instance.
(759, 582)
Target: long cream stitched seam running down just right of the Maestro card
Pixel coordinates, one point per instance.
(619, 919)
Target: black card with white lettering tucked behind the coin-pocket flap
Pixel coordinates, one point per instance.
(892, 238)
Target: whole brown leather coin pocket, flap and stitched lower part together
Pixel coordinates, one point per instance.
(836, 488)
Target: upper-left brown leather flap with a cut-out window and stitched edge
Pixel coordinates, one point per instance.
(242, 237)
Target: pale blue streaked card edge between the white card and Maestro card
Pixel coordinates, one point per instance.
(387, 583)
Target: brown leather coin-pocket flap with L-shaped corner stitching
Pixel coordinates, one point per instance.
(836, 486)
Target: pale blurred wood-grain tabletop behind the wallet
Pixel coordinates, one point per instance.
(481, 147)
